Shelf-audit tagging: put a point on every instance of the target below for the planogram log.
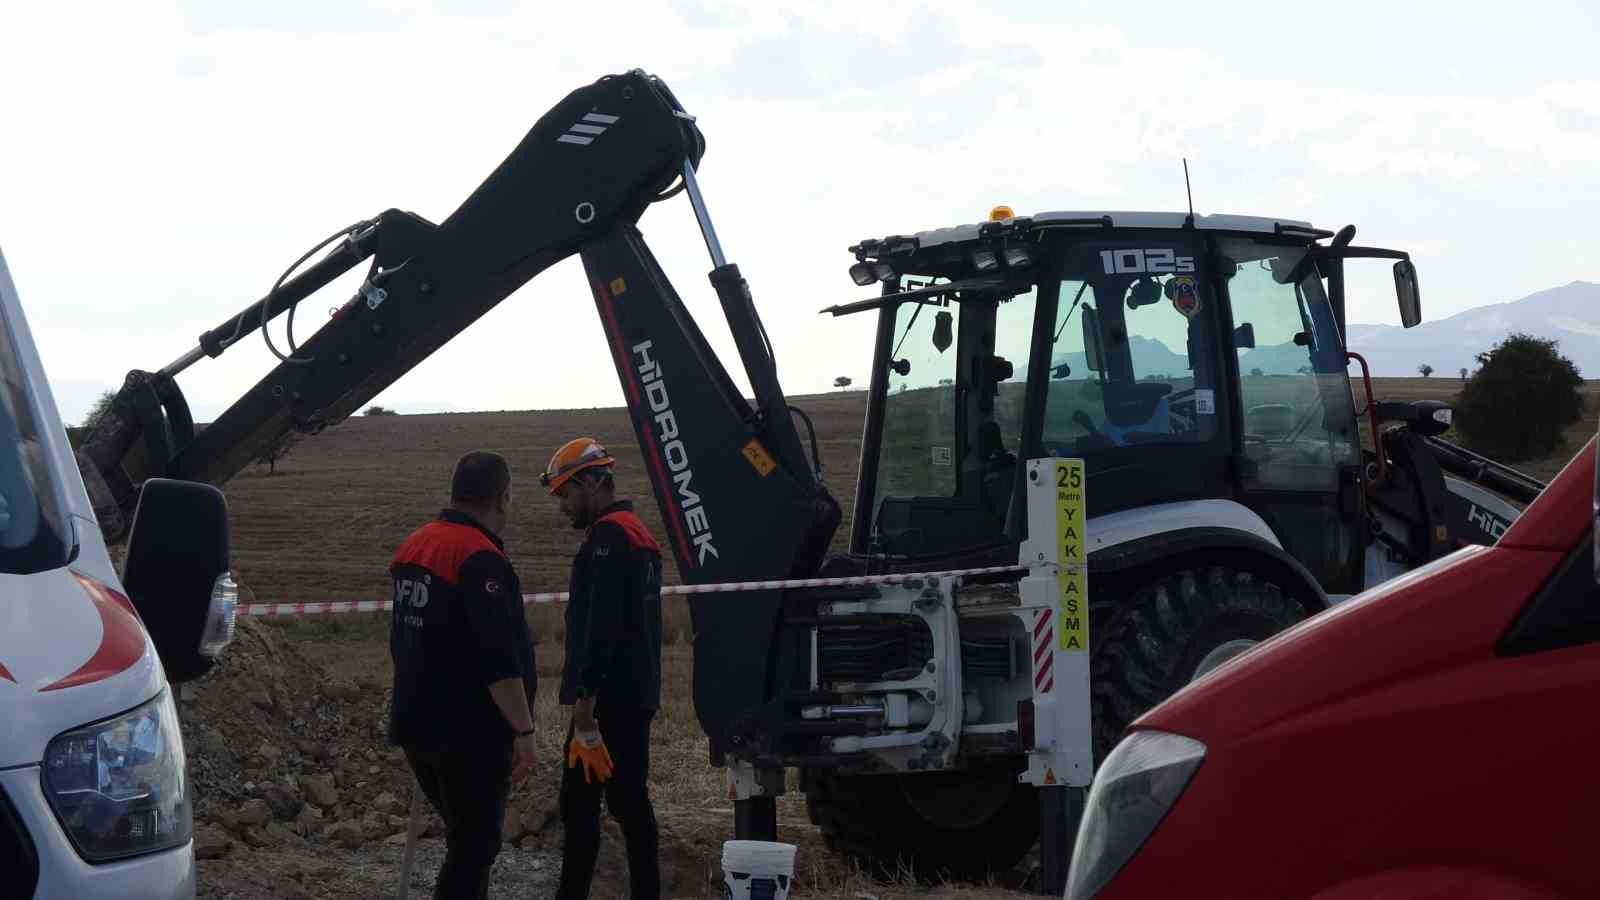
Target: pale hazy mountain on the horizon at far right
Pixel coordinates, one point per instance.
(1569, 315)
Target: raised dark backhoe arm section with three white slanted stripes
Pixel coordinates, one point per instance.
(590, 166)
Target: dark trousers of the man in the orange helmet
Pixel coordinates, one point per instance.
(626, 733)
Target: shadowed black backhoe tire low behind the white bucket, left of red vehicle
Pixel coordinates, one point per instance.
(874, 824)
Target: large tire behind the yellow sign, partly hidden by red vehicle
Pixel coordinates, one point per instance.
(1175, 629)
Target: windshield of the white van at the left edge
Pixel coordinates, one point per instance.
(33, 528)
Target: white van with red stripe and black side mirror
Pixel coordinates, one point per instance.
(95, 797)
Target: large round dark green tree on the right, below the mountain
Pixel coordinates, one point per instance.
(1521, 401)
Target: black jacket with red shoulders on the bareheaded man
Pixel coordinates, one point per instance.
(458, 627)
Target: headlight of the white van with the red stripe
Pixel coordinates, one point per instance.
(121, 787)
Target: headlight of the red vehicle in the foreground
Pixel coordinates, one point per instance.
(1140, 781)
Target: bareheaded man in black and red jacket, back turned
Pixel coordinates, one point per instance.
(465, 677)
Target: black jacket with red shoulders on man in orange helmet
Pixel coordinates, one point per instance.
(614, 619)
